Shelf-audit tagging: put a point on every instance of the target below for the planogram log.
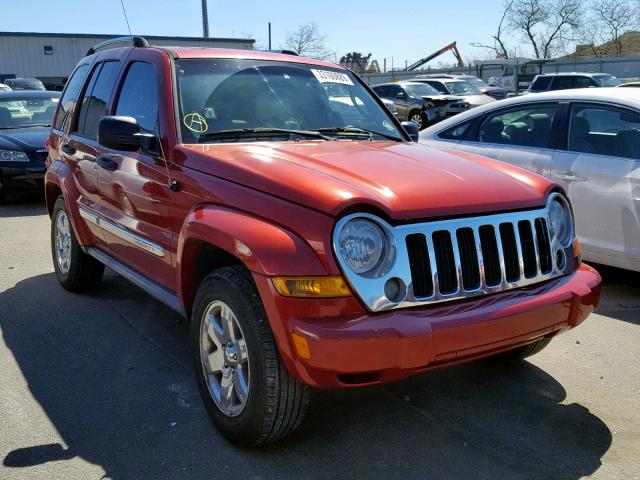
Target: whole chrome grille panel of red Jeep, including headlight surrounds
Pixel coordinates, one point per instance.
(456, 258)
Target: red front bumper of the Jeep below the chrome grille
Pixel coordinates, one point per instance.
(350, 348)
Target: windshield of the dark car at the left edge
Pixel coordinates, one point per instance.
(27, 112)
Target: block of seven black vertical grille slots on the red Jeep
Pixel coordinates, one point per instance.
(461, 259)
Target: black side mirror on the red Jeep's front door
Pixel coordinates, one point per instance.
(123, 133)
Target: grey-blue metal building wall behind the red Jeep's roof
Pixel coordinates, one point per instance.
(23, 56)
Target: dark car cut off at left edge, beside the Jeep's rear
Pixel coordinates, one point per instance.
(25, 121)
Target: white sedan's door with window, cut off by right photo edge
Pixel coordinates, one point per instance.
(600, 170)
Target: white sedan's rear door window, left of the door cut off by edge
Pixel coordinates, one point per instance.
(526, 126)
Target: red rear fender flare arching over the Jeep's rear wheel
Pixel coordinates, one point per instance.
(59, 177)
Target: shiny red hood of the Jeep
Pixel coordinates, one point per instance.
(404, 180)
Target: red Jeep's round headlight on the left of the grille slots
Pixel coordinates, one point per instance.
(362, 245)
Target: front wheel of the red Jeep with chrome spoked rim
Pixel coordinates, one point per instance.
(245, 387)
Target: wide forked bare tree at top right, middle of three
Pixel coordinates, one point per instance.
(547, 25)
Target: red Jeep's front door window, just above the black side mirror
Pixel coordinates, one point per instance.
(139, 96)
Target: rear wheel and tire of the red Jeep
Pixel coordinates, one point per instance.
(75, 270)
